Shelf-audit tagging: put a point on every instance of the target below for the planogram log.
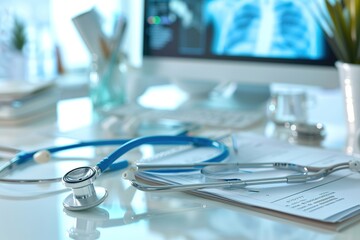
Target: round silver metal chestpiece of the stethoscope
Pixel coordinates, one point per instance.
(84, 195)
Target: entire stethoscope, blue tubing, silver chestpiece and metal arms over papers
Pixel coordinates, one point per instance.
(85, 195)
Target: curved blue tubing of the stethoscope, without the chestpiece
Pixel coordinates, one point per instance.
(108, 163)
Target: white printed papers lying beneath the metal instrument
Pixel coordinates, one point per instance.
(328, 202)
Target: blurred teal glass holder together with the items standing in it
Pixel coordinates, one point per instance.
(107, 77)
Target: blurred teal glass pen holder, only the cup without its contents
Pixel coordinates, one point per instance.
(107, 82)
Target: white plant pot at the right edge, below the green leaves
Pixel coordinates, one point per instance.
(349, 77)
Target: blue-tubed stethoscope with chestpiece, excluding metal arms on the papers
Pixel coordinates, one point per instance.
(81, 180)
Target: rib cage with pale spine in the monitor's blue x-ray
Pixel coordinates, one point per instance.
(269, 28)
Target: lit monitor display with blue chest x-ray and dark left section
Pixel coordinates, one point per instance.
(256, 29)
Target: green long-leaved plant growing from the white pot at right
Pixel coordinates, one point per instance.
(340, 20)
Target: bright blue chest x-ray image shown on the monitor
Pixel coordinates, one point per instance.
(264, 28)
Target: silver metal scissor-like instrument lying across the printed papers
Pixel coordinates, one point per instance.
(304, 174)
